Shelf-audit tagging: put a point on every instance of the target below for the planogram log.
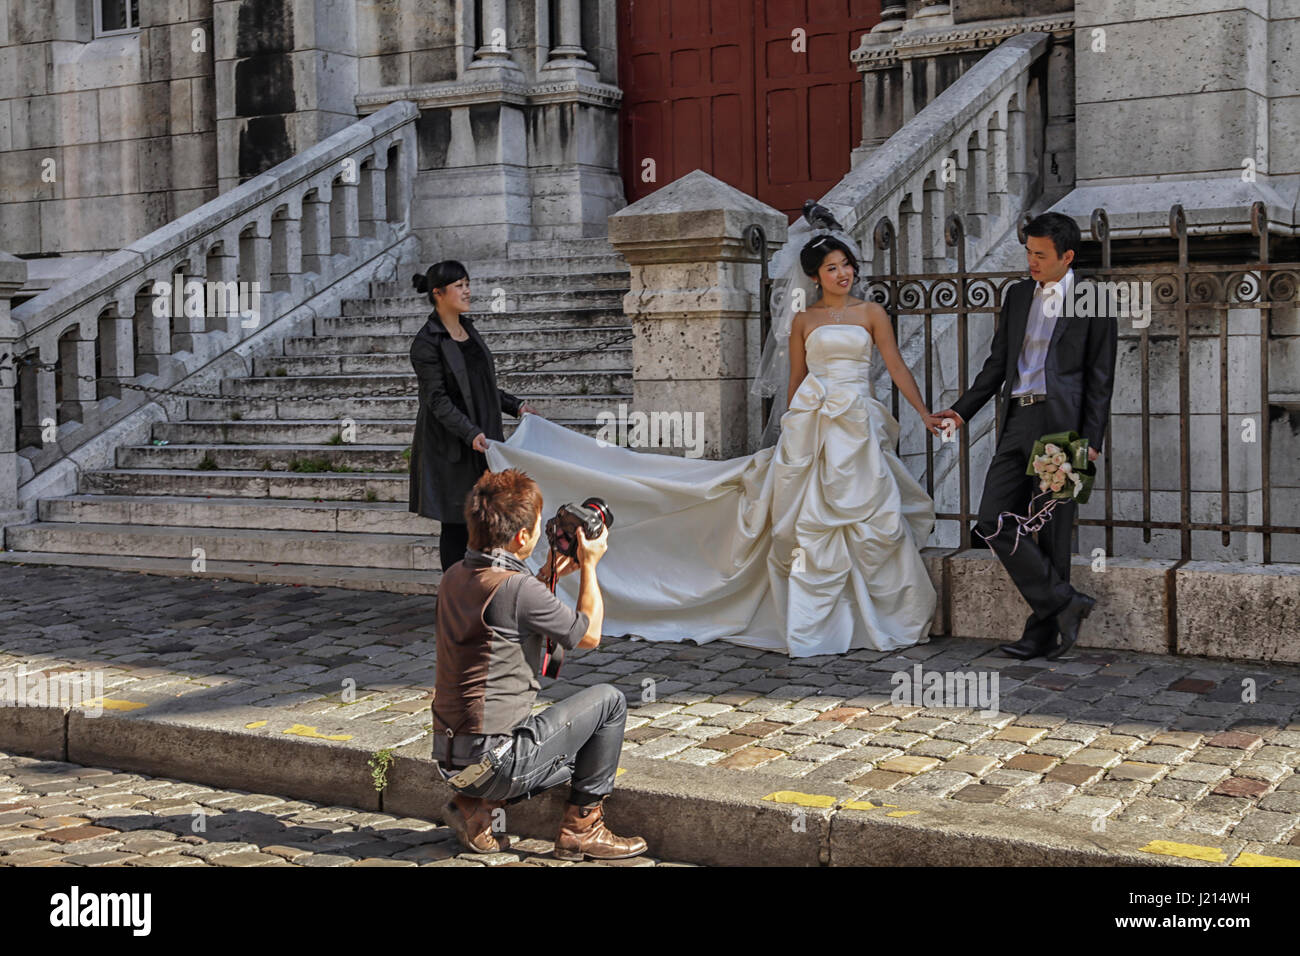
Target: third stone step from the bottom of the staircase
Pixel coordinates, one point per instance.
(372, 518)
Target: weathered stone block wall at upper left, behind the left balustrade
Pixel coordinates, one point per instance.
(105, 139)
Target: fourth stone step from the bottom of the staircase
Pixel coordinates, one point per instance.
(246, 485)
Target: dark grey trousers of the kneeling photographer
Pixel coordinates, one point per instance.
(578, 741)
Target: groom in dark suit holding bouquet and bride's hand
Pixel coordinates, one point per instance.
(1056, 373)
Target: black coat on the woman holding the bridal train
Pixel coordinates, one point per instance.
(453, 410)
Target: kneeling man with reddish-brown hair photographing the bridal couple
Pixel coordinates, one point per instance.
(493, 621)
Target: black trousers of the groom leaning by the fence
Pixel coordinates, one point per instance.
(1039, 569)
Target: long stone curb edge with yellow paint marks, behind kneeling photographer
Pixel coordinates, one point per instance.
(708, 816)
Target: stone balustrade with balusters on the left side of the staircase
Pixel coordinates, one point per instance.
(241, 262)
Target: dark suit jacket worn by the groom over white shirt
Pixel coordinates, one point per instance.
(1080, 370)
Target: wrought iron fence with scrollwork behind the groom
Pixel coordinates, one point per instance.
(1191, 304)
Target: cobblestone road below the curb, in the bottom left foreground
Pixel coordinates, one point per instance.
(64, 815)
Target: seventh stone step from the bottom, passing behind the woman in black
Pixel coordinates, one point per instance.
(558, 408)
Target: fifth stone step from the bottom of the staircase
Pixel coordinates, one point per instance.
(300, 460)
